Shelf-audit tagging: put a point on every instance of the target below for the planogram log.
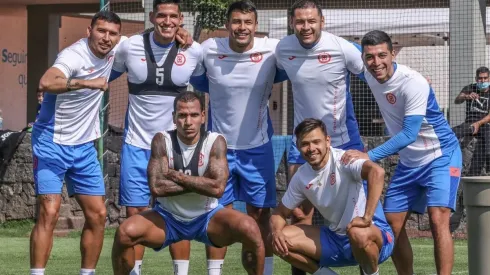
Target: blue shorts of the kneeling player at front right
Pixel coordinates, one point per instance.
(337, 251)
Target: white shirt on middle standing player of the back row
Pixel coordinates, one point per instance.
(240, 85)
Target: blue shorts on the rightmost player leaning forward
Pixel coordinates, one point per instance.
(434, 184)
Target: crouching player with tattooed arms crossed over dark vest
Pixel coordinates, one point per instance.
(187, 174)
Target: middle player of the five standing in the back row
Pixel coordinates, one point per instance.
(240, 72)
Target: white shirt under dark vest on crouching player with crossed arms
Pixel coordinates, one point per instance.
(188, 206)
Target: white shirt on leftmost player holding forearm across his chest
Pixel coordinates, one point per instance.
(73, 117)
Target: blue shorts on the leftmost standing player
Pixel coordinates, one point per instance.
(76, 164)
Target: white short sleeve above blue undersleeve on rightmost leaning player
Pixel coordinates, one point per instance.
(416, 92)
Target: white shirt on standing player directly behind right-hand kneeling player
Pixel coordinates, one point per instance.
(321, 84)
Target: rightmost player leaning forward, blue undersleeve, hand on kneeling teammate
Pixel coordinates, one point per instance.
(429, 169)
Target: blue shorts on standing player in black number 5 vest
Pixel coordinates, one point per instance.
(133, 185)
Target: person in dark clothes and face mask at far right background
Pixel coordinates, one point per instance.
(476, 96)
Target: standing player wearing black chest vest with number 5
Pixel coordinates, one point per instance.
(157, 69)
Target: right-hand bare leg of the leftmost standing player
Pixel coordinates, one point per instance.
(92, 238)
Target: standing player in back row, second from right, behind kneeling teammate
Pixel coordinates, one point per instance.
(319, 65)
